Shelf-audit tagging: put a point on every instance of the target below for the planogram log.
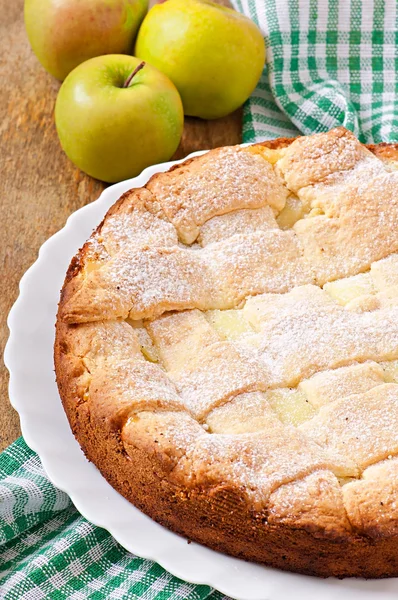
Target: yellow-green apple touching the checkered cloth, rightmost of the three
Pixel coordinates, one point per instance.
(213, 54)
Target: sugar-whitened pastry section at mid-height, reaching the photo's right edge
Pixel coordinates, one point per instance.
(304, 331)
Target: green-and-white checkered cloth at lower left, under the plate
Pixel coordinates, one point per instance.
(48, 550)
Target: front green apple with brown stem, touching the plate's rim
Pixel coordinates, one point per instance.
(115, 116)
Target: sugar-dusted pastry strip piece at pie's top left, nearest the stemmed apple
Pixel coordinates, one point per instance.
(216, 183)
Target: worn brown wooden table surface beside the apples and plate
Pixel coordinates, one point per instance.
(39, 187)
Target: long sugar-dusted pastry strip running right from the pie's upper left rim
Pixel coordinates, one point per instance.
(145, 282)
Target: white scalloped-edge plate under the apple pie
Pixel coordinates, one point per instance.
(33, 393)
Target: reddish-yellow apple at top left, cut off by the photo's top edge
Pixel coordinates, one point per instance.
(65, 33)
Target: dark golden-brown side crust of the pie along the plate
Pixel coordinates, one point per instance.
(221, 517)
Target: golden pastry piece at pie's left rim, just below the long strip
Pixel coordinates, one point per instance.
(116, 380)
